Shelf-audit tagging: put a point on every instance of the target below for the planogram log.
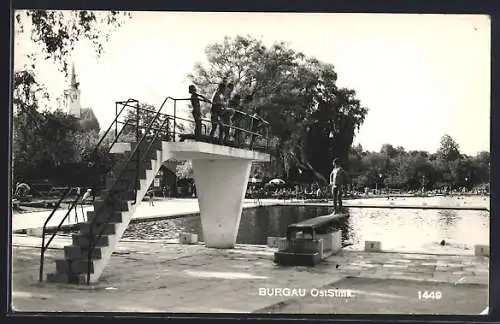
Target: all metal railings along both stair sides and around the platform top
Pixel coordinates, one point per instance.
(142, 133)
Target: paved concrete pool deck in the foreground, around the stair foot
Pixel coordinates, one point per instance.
(168, 277)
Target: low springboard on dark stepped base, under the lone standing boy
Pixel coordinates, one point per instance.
(313, 245)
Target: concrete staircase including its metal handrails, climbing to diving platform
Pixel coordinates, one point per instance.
(124, 185)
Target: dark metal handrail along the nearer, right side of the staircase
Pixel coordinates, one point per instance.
(96, 212)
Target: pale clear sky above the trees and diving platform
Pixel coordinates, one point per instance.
(421, 76)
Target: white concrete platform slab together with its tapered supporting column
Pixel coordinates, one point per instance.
(221, 177)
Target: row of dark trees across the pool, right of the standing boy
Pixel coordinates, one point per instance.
(397, 168)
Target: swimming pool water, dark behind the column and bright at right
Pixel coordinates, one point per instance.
(395, 228)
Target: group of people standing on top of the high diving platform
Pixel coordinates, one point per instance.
(227, 114)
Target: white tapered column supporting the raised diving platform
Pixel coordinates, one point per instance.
(220, 187)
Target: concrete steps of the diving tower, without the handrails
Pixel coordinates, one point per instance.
(112, 212)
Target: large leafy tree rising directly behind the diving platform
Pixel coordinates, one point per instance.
(311, 120)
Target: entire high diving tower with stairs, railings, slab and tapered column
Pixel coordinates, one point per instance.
(221, 172)
